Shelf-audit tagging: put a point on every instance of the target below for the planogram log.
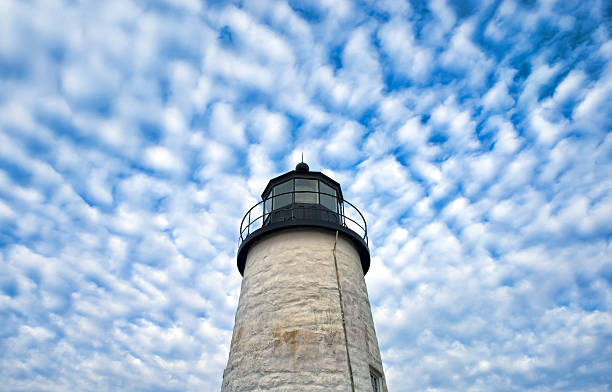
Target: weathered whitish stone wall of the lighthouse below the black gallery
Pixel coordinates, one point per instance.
(288, 333)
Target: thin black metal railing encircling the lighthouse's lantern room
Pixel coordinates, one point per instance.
(305, 206)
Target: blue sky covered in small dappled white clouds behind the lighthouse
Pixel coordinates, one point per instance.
(475, 137)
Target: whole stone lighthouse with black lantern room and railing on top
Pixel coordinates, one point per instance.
(303, 321)
